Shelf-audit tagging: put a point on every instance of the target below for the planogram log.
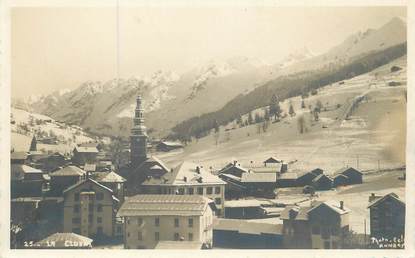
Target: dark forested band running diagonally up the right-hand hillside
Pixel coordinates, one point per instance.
(284, 87)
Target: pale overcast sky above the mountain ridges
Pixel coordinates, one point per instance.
(58, 48)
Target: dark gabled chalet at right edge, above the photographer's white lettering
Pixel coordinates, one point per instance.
(387, 216)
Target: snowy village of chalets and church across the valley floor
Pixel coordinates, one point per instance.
(86, 199)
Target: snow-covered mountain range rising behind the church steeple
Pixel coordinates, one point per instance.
(107, 107)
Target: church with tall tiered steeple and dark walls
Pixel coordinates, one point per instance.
(141, 165)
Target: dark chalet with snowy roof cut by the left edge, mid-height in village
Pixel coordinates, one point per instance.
(26, 181)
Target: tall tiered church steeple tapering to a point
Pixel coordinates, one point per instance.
(138, 138)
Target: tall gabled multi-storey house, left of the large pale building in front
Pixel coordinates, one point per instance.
(90, 209)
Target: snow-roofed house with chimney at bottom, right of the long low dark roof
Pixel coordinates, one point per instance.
(321, 225)
